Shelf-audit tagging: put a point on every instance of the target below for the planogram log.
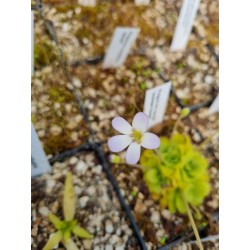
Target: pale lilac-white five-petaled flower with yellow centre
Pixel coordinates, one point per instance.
(133, 136)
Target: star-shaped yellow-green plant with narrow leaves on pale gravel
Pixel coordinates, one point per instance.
(69, 225)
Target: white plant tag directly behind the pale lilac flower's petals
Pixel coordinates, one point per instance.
(155, 103)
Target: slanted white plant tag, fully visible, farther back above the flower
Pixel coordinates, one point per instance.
(122, 41)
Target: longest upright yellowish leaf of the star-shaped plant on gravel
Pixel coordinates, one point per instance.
(69, 198)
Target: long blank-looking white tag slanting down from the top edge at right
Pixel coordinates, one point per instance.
(184, 24)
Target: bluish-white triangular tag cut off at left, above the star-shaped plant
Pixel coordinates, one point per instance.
(39, 161)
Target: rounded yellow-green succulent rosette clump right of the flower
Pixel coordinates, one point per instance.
(178, 171)
